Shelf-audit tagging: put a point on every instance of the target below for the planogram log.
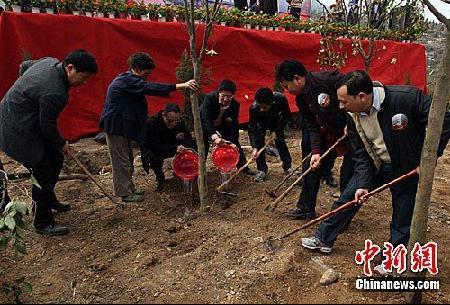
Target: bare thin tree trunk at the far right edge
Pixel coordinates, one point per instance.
(428, 161)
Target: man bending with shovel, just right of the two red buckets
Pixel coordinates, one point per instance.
(270, 111)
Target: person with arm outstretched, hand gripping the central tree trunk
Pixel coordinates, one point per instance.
(124, 119)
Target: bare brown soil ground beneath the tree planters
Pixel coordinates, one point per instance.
(148, 253)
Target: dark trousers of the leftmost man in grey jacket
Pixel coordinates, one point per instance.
(46, 173)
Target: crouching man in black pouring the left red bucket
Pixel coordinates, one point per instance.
(167, 135)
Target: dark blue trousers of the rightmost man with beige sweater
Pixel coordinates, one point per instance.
(403, 200)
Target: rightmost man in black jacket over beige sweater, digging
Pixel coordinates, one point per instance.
(386, 130)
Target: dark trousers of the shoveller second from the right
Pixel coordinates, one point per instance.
(311, 182)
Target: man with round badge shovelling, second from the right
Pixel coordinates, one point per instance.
(318, 104)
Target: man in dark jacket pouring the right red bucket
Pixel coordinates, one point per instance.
(219, 113)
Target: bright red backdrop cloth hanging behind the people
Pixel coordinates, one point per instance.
(247, 57)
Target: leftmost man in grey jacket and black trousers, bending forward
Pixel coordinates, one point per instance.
(28, 126)
